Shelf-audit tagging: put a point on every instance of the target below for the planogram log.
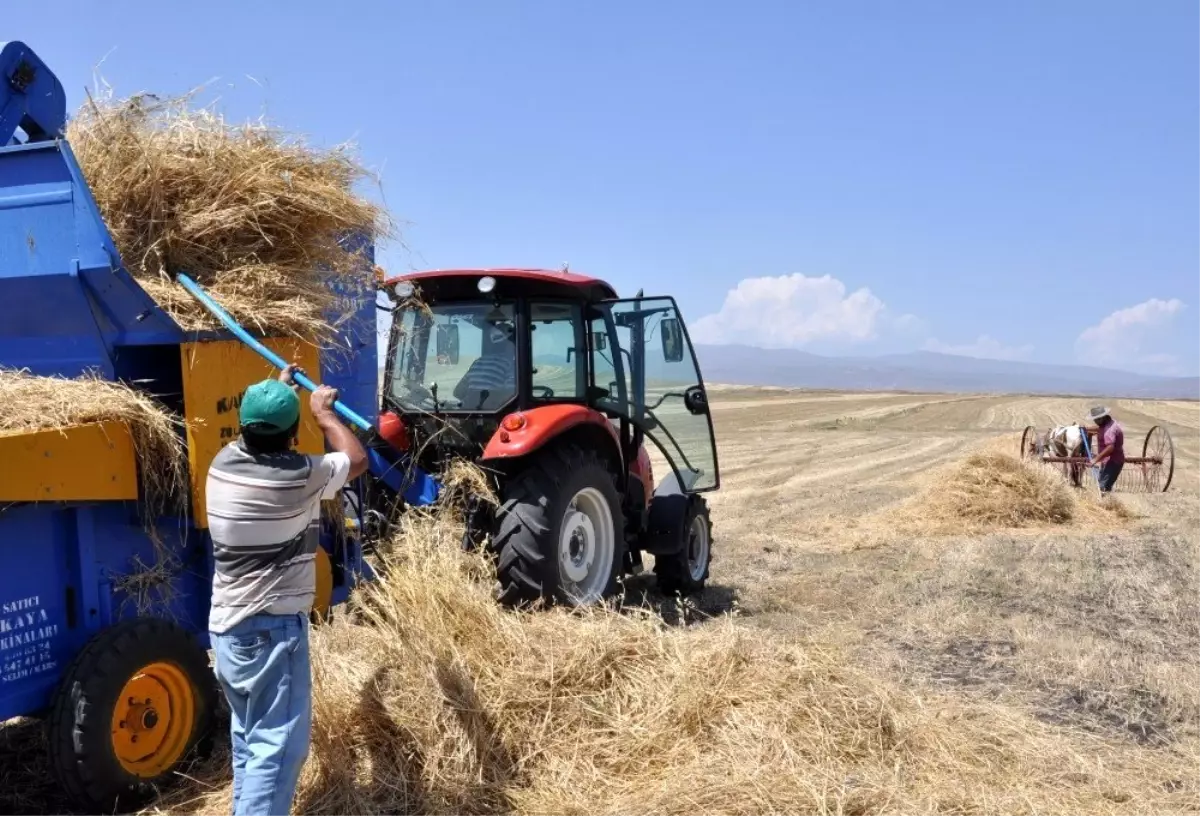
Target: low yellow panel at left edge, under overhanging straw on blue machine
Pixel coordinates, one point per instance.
(93, 463)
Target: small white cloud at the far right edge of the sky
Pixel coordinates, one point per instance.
(1126, 338)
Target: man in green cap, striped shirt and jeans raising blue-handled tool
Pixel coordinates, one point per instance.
(265, 514)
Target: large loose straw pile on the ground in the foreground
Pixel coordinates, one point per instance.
(431, 700)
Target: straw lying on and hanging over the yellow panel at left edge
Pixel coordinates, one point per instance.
(31, 404)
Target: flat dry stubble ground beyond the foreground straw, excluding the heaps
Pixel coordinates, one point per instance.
(1084, 637)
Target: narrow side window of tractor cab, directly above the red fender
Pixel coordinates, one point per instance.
(560, 357)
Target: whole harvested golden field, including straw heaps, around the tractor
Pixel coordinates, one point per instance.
(902, 620)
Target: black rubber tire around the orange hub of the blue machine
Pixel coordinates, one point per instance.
(79, 731)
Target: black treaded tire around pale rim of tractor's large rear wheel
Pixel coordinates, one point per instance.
(532, 507)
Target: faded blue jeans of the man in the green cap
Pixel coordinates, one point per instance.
(263, 668)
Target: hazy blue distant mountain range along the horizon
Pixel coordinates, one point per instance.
(928, 371)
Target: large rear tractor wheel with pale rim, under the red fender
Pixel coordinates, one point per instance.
(561, 532)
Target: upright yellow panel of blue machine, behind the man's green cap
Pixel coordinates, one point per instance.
(215, 375)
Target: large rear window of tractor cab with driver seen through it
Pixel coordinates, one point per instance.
(453, 357)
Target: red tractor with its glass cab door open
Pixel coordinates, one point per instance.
(551, 383)
